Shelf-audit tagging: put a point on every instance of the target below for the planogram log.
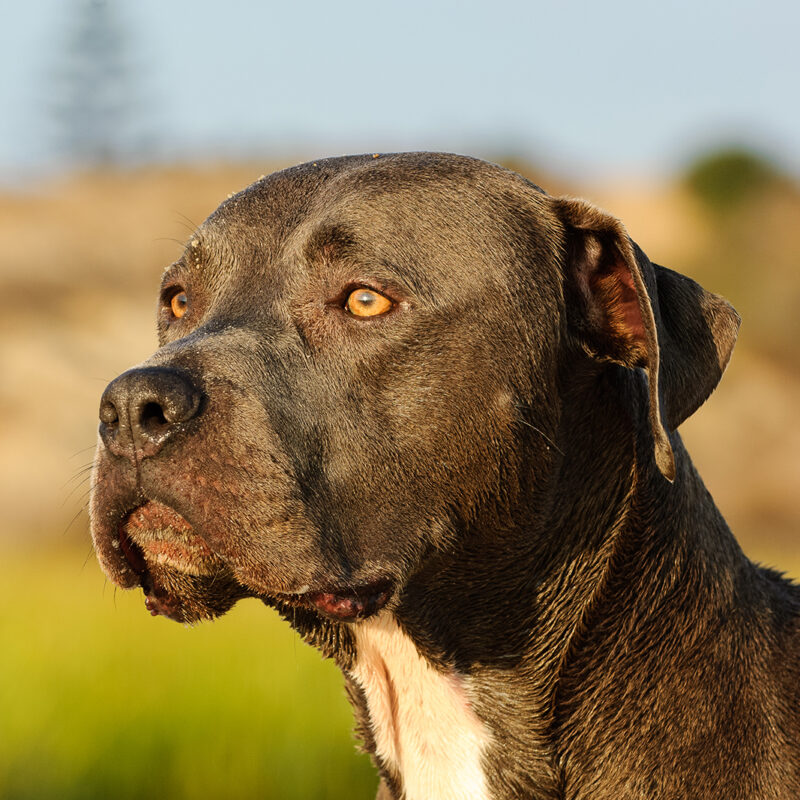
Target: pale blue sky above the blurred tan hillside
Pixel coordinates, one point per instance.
(585, 88)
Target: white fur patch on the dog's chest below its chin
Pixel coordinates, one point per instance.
(423, 724)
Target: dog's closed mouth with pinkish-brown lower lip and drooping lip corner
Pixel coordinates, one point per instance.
(181, 577)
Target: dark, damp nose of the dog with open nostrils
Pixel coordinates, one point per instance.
(142, 408)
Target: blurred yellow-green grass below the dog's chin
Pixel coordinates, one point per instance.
(99, 700)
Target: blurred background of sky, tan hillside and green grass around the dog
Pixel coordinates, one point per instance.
(123, 125)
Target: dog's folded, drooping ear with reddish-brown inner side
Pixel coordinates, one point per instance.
(628, 311)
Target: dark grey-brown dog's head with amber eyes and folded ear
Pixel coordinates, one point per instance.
(359, 356)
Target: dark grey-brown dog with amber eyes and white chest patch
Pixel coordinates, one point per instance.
(428, 412)
